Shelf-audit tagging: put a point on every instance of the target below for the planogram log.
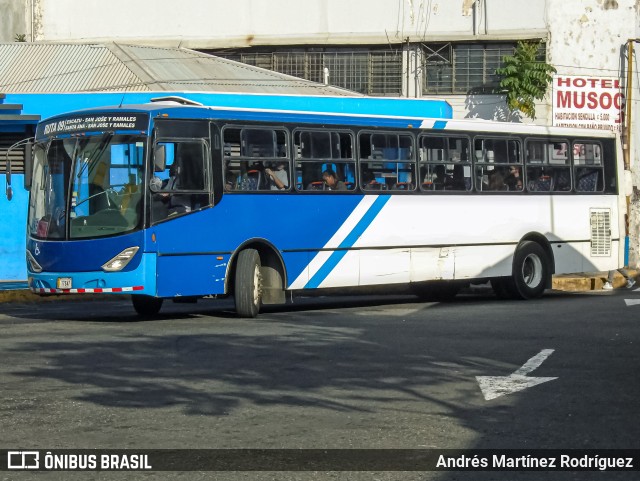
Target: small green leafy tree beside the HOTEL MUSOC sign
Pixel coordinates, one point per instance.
(524, 78)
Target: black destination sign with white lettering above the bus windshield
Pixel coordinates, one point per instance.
(93, 123)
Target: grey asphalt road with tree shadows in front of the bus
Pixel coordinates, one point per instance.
(340, 373)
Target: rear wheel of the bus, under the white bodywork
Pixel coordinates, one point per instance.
(530, 272)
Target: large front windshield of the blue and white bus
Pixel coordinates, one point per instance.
(87, 187)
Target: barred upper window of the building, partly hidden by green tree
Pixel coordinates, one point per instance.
(465, 67)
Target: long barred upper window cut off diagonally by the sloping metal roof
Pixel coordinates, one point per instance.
(367, 70)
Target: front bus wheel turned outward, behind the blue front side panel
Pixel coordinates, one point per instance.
(248, 284)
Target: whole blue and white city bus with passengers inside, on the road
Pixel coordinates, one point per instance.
(269, 202)
